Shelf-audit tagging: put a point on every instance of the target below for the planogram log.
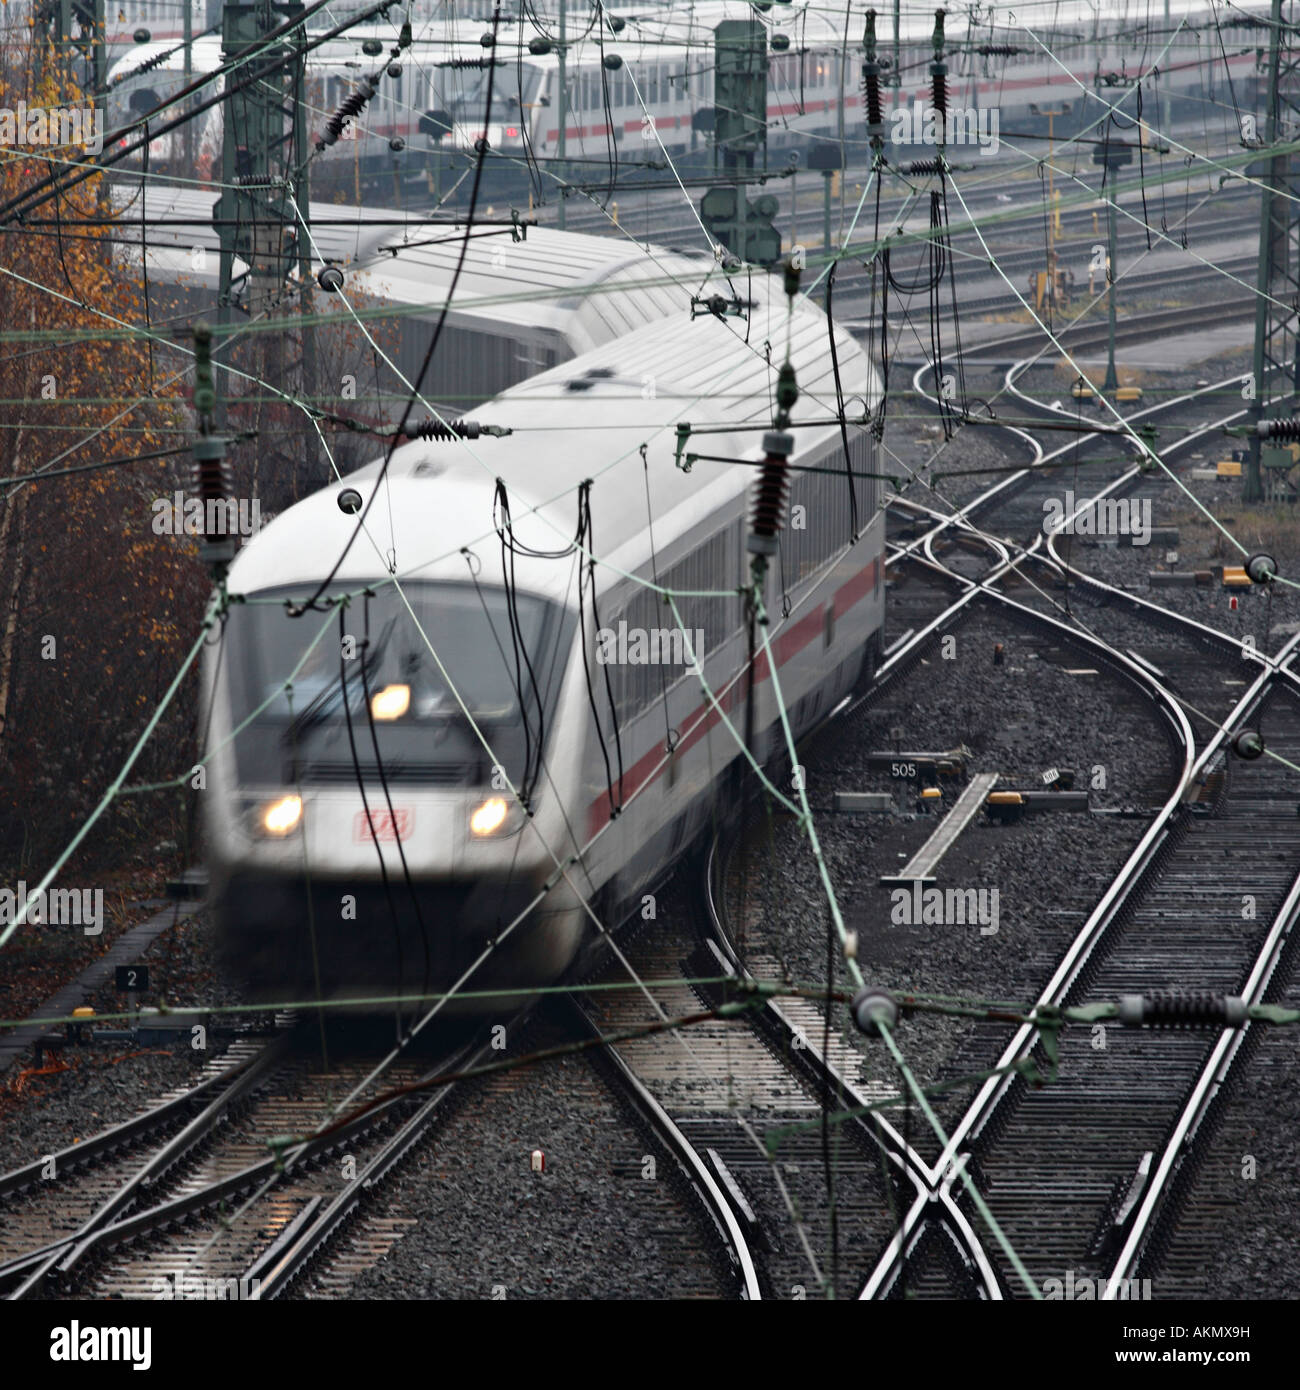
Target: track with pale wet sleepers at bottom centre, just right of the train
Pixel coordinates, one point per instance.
(728, 1086)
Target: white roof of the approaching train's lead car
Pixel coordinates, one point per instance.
(586, 419)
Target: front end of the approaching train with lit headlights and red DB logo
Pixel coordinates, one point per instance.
(362, 833)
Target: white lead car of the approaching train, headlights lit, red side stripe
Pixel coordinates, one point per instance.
(453, 719)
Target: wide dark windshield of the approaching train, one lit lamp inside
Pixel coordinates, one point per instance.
(423, 682)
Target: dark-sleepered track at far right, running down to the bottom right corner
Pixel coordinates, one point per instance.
(1139, 938)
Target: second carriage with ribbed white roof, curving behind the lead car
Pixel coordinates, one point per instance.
(519, 308)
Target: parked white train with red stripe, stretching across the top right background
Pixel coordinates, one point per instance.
(647, 77)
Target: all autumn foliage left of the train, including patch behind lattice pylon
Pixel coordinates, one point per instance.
(98, 611)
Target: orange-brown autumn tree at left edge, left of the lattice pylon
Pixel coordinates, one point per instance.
(97, 611)
